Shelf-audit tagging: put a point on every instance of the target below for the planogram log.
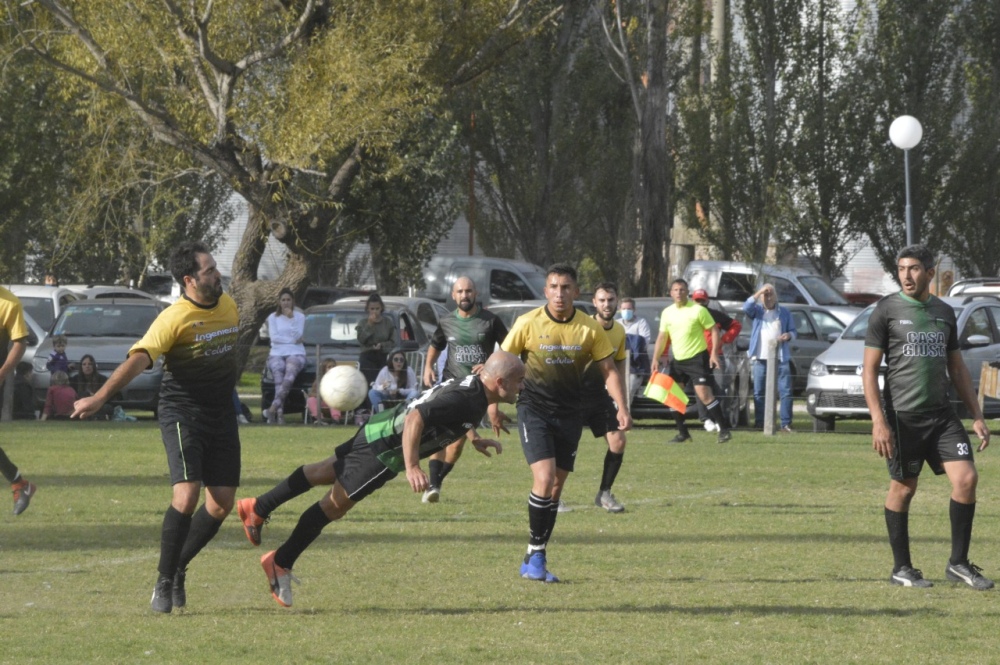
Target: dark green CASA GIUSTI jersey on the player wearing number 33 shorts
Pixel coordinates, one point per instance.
(916, 338)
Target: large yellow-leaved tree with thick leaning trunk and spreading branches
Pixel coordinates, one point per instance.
(285, 101)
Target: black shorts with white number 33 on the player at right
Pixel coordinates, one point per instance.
(935, 438)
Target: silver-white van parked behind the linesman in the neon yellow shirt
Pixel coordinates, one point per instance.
(733, 282)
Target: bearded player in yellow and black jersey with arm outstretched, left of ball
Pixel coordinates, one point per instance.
(196, 337)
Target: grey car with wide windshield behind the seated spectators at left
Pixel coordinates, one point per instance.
(106, 329)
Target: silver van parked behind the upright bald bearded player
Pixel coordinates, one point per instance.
(497, 280)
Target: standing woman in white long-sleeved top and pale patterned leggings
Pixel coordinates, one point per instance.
(288, 356)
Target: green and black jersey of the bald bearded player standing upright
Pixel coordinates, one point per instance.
(469, 340)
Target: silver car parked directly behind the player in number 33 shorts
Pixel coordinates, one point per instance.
(834, 390)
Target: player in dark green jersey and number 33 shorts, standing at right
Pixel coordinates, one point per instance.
(917, 335)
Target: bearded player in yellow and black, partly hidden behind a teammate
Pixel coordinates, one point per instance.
(601, 413)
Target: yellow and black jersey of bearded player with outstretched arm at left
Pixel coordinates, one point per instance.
(198, 346)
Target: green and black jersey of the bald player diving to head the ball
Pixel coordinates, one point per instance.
(449, 410)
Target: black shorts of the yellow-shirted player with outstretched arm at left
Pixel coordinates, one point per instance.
(206, 454)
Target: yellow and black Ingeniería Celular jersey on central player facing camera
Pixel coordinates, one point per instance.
(556, 354)
